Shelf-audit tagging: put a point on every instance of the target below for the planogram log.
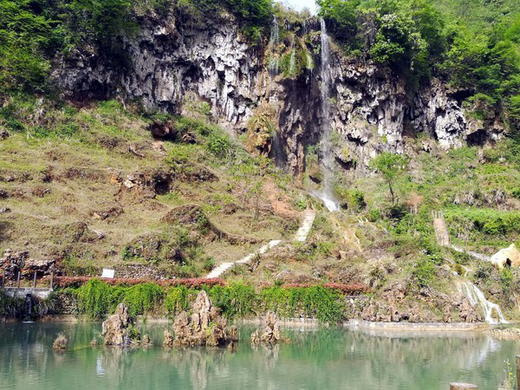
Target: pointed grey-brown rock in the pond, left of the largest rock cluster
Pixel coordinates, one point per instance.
(117, 328)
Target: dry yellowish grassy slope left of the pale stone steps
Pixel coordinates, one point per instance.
(57, 178)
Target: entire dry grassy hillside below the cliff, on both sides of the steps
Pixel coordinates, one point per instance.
(61, 165)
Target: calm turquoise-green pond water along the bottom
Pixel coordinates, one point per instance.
(319, 359)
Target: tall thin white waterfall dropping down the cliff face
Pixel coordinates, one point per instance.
(326, 194)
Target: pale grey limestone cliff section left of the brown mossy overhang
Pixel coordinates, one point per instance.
(168, 60)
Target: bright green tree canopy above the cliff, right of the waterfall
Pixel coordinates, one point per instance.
(474, 44)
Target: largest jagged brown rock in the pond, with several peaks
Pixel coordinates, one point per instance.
(204, 327)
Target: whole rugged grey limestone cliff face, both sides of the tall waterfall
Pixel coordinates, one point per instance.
(172, 60)
